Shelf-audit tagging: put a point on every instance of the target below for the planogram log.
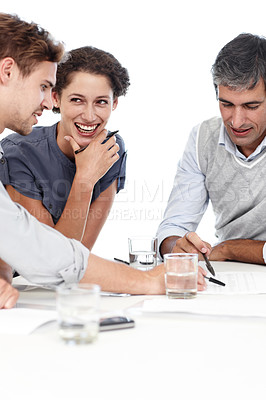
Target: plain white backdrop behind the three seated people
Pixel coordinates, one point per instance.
(168, 48)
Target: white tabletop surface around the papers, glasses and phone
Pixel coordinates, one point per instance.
(165, 356)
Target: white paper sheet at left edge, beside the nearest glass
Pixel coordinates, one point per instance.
(23, 321)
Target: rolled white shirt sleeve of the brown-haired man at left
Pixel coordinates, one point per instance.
(36, 251)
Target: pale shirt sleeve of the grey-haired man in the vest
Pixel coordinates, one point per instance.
(189, 198)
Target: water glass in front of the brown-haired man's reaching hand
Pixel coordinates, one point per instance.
(181, 275)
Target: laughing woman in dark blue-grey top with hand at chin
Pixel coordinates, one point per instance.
(72, 192)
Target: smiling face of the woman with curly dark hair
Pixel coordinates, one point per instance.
(85, 106)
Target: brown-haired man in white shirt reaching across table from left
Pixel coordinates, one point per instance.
(41, 254)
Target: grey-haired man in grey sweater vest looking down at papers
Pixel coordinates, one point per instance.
(224, 162)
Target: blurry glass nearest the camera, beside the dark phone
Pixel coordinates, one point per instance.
(78, 312)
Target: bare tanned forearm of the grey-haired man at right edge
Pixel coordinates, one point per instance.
(243, 250)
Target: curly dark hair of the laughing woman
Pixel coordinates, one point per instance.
(95, 61)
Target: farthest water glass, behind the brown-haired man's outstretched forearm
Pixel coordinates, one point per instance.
(142, 252)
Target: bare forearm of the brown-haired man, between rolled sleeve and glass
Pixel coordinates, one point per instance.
(118, 277)
